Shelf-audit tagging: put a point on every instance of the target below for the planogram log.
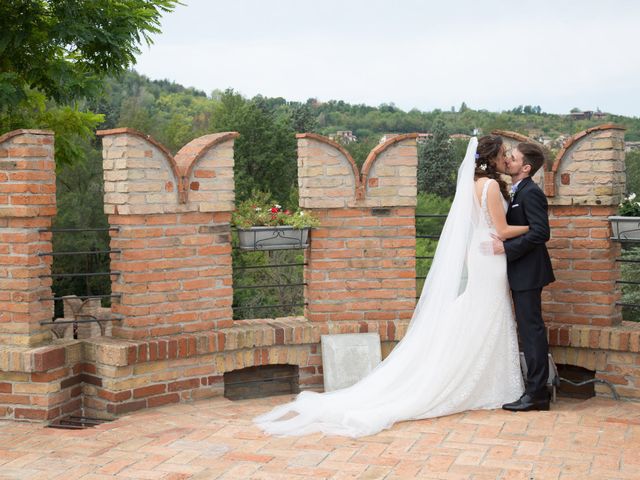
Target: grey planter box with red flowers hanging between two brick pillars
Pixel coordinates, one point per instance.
(263, 224)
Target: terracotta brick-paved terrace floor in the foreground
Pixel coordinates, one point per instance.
(215, 439)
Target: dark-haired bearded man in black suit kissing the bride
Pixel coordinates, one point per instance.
(529, 269)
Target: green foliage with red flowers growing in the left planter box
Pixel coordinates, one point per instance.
(261, 211)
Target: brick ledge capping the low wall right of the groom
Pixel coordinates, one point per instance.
(623, 338)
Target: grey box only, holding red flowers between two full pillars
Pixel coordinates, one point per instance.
(273, 238)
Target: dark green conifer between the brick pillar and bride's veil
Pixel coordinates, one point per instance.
(436, 164)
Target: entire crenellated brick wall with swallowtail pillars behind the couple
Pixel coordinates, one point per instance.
(177, 338)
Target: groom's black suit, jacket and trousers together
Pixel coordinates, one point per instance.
(529, 269)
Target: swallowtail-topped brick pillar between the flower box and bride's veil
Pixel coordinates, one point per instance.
(361, 262)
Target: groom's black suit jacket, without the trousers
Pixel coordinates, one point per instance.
(528, 262)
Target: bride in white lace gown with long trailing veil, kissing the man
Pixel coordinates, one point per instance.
(460, 351)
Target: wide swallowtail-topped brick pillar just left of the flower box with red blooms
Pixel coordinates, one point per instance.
(173, 216)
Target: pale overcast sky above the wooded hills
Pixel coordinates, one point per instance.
(427, 54)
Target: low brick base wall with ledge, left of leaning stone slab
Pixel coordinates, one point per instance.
(131, 375)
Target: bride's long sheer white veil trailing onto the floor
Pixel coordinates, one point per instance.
(425, 375)
